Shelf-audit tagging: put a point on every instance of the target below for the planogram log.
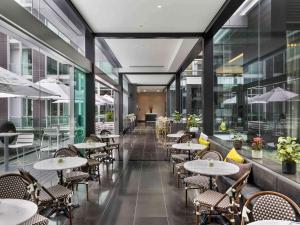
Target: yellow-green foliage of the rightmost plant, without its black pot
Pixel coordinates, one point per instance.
(288, 149)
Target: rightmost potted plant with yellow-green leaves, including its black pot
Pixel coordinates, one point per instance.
(289, 153)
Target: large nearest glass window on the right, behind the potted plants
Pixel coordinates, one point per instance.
(257, 52)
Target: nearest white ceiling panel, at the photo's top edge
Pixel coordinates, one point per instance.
(148, 16)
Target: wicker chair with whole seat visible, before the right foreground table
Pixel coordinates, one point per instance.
(228, 204)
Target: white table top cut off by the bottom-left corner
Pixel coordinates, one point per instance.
(16, 211)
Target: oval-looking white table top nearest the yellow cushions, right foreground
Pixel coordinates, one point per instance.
(219, 168)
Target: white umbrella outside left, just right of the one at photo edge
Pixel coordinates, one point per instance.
(61, 90)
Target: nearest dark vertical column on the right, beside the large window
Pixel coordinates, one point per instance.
(208, 87)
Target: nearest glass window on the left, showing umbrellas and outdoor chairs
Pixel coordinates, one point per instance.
(46, 104)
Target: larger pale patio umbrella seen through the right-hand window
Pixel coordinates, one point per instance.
(275, 95)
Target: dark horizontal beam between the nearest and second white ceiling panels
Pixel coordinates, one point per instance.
(148, 35)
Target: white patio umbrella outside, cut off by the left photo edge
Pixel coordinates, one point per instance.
(11, 83)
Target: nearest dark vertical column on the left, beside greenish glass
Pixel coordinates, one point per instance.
(90, 85)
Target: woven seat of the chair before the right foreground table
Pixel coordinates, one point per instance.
(210, 198)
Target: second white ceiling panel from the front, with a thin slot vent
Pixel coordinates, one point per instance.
(150, 55)
